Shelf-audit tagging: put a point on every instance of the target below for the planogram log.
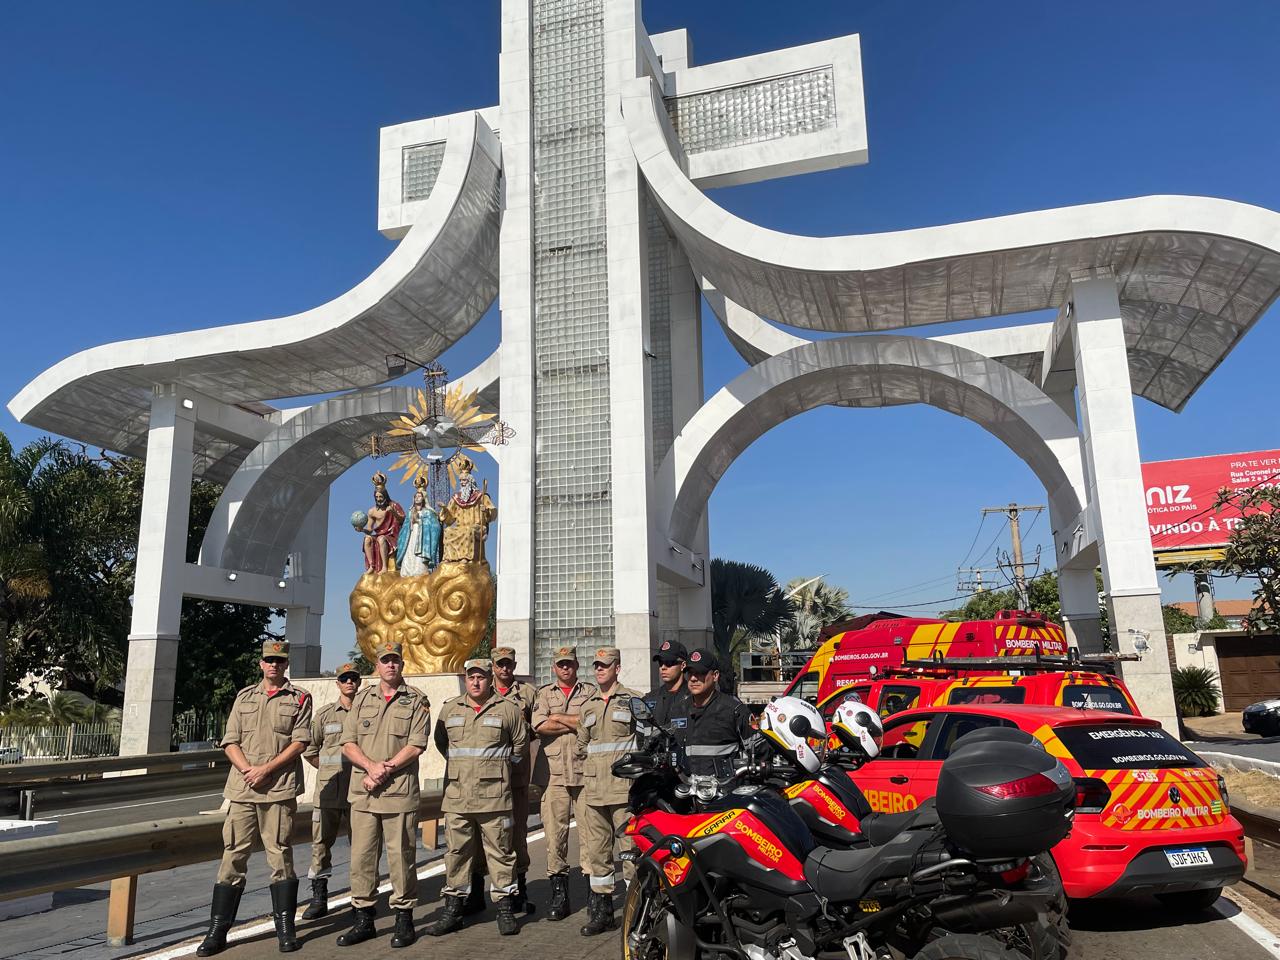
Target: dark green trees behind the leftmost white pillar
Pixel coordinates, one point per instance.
(68, 543)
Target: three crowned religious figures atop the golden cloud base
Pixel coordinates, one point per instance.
(426, 537)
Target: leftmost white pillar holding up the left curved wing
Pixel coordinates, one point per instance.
(153, 660)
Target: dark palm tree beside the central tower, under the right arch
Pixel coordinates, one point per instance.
(746, 602)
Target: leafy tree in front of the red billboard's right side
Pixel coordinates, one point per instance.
(1254, 551)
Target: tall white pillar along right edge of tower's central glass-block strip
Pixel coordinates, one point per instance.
(636, 584)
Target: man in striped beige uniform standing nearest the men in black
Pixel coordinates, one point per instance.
(605, 733)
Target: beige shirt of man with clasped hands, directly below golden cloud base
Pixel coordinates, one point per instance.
(383, 729)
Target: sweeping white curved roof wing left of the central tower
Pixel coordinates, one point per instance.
(435, 286)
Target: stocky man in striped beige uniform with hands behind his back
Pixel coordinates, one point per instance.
(483, 738)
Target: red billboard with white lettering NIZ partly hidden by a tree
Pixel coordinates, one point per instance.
(1181, 496)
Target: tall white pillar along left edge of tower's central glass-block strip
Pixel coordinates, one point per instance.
(515, 566)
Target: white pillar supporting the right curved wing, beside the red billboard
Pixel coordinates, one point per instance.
(1109, 442)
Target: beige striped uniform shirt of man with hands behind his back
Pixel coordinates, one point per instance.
(486, 748)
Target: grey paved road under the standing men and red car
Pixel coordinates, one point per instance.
(173, 912)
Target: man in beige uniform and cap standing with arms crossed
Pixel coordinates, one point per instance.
(559, 769)
